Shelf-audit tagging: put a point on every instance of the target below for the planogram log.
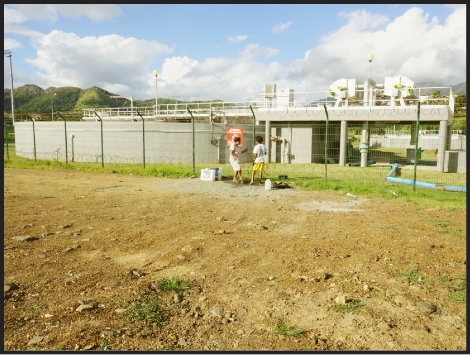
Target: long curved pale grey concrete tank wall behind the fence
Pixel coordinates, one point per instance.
(123, 141)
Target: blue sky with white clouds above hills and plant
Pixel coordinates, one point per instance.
(229, 52)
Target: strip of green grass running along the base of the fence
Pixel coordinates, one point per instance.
(363, 182)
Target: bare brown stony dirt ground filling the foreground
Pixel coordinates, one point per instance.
(82, 251)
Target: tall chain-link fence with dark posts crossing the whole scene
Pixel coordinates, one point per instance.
(310, 150)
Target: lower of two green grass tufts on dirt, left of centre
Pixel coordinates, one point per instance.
(146, 309)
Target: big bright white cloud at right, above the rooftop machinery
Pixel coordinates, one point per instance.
(410, 45)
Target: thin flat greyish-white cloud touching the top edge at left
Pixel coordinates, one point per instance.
(96, 12)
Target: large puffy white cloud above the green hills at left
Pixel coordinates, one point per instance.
(68, 60)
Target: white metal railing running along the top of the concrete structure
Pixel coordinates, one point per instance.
(391, 97)
